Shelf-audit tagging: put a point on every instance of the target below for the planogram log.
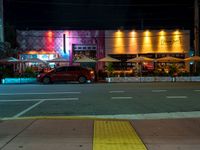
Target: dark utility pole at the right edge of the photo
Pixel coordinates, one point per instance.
(196, 27)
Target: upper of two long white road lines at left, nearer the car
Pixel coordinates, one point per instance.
(6, 94)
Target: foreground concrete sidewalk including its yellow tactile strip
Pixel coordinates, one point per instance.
(61, 134)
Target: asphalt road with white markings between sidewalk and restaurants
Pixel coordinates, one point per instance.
(98, 99)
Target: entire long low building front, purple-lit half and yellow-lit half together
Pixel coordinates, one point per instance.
(122, 45)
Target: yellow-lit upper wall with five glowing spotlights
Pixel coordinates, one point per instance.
(147, 42)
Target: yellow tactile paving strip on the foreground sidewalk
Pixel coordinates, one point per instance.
(116, 135)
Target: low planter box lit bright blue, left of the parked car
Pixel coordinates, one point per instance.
(19, 80)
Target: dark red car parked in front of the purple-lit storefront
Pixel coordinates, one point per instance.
(67, 73)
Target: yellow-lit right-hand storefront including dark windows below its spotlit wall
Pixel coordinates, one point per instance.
(125, 45)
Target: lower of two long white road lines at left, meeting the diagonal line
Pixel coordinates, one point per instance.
(52, 99)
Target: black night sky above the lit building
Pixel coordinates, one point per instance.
(99, 14)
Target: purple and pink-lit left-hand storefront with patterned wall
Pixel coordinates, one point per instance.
(70, 45)
